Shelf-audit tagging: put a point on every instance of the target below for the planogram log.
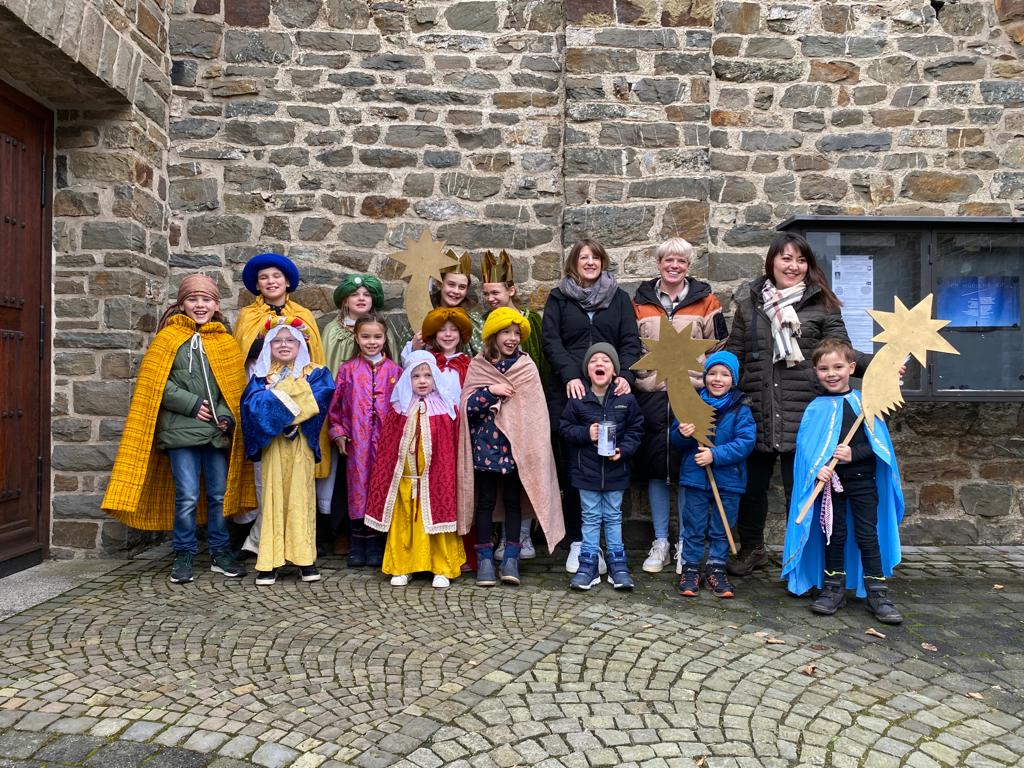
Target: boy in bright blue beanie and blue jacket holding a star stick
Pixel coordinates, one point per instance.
(735, 438)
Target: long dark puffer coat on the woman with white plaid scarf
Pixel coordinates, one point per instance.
(780, 395)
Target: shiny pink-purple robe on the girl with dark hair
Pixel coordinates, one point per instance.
(362, 400)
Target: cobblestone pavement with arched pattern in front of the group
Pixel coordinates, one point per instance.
(131, 670)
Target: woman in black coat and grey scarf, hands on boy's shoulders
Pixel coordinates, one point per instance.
(586, 308)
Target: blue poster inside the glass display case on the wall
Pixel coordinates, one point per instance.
(980, 303)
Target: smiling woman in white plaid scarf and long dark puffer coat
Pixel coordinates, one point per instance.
(780, 319)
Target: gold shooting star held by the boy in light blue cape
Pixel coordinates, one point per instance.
(904, 332)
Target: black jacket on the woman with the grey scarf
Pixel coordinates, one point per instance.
(569, 333)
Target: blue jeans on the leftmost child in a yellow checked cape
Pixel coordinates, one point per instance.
(188, 465)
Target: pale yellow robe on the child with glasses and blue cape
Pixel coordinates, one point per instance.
(289, 528)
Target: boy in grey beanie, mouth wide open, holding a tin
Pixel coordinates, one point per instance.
(602, 480)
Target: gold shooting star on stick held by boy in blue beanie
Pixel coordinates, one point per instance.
(674, 356)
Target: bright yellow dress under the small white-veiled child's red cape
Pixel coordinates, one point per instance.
(410, 549)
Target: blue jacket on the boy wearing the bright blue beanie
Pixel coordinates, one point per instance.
(735, 435)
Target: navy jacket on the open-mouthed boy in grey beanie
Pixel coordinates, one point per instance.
(589, 471)
